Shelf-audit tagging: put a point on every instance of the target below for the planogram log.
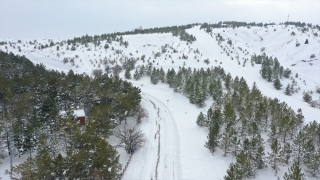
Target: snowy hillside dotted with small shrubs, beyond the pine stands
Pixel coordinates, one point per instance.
(276, 39)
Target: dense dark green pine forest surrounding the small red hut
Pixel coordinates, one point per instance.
(31, 100)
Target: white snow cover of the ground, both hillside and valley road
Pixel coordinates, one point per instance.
(172, 118)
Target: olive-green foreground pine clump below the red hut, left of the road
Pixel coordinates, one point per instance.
(88, 157)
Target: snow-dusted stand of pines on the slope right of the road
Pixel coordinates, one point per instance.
(240, 117)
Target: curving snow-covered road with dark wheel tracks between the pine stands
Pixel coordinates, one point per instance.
(159, 158)
